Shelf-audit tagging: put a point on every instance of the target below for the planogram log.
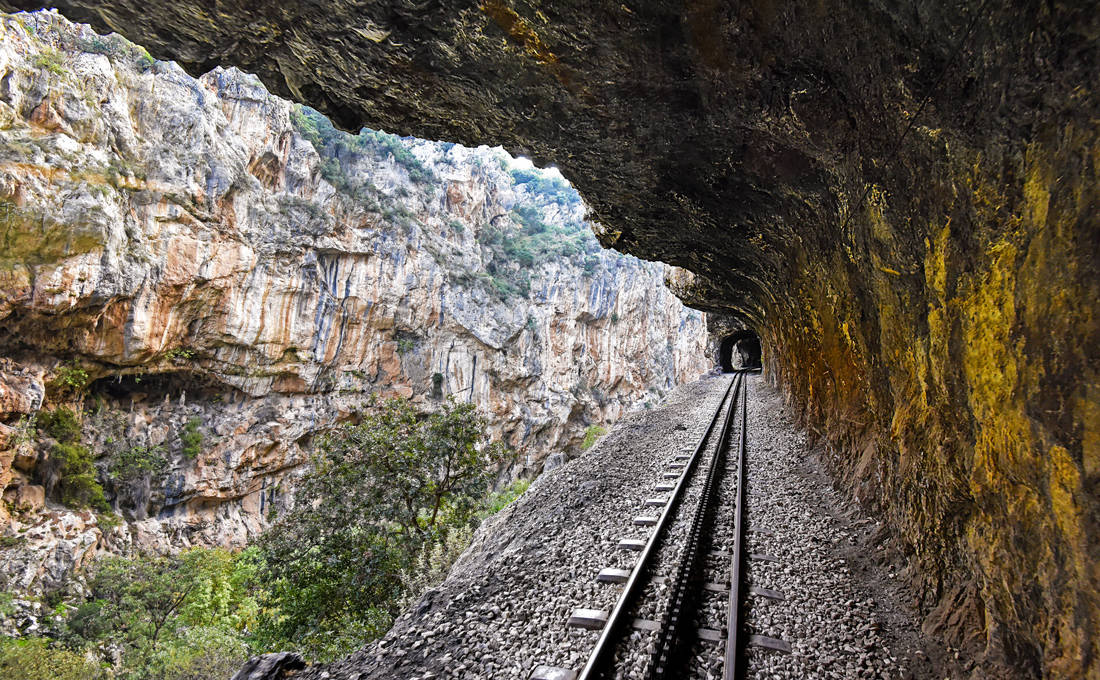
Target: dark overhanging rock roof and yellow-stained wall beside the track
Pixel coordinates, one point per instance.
(901, 198)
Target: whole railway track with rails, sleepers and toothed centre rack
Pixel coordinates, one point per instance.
(679, 611)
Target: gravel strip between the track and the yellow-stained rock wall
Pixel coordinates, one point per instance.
(831, 623)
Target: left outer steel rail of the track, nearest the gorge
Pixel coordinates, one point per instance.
(619, 616)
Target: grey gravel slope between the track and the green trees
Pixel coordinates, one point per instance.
(504, 607)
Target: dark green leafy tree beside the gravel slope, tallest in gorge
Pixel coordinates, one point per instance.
(379, 495)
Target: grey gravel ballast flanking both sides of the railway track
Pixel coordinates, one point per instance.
(504, 607)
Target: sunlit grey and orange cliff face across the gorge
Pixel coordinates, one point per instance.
(197, 260)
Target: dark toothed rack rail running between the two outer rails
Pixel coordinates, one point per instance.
(677, 629)
